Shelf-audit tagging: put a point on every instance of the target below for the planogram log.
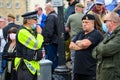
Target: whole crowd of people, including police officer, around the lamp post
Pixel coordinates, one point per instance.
(94, 31)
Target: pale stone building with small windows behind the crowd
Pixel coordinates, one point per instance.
(15, 7)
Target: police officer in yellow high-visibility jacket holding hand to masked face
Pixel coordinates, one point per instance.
(28, 41)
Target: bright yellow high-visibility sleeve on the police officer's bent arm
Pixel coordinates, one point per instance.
(28, 40)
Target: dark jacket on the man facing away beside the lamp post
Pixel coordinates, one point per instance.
(50, 30)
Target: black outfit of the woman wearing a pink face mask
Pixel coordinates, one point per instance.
(8, 56)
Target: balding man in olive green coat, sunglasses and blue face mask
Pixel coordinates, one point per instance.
(108, 52)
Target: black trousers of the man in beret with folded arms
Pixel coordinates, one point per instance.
(83, 77)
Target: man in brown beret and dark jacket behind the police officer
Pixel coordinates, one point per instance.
(11, 20)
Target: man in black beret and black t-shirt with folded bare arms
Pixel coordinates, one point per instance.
(85, 41)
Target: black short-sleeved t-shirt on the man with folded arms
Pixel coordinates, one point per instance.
(84, 63)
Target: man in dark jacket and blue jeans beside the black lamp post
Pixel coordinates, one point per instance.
(50, 33)
